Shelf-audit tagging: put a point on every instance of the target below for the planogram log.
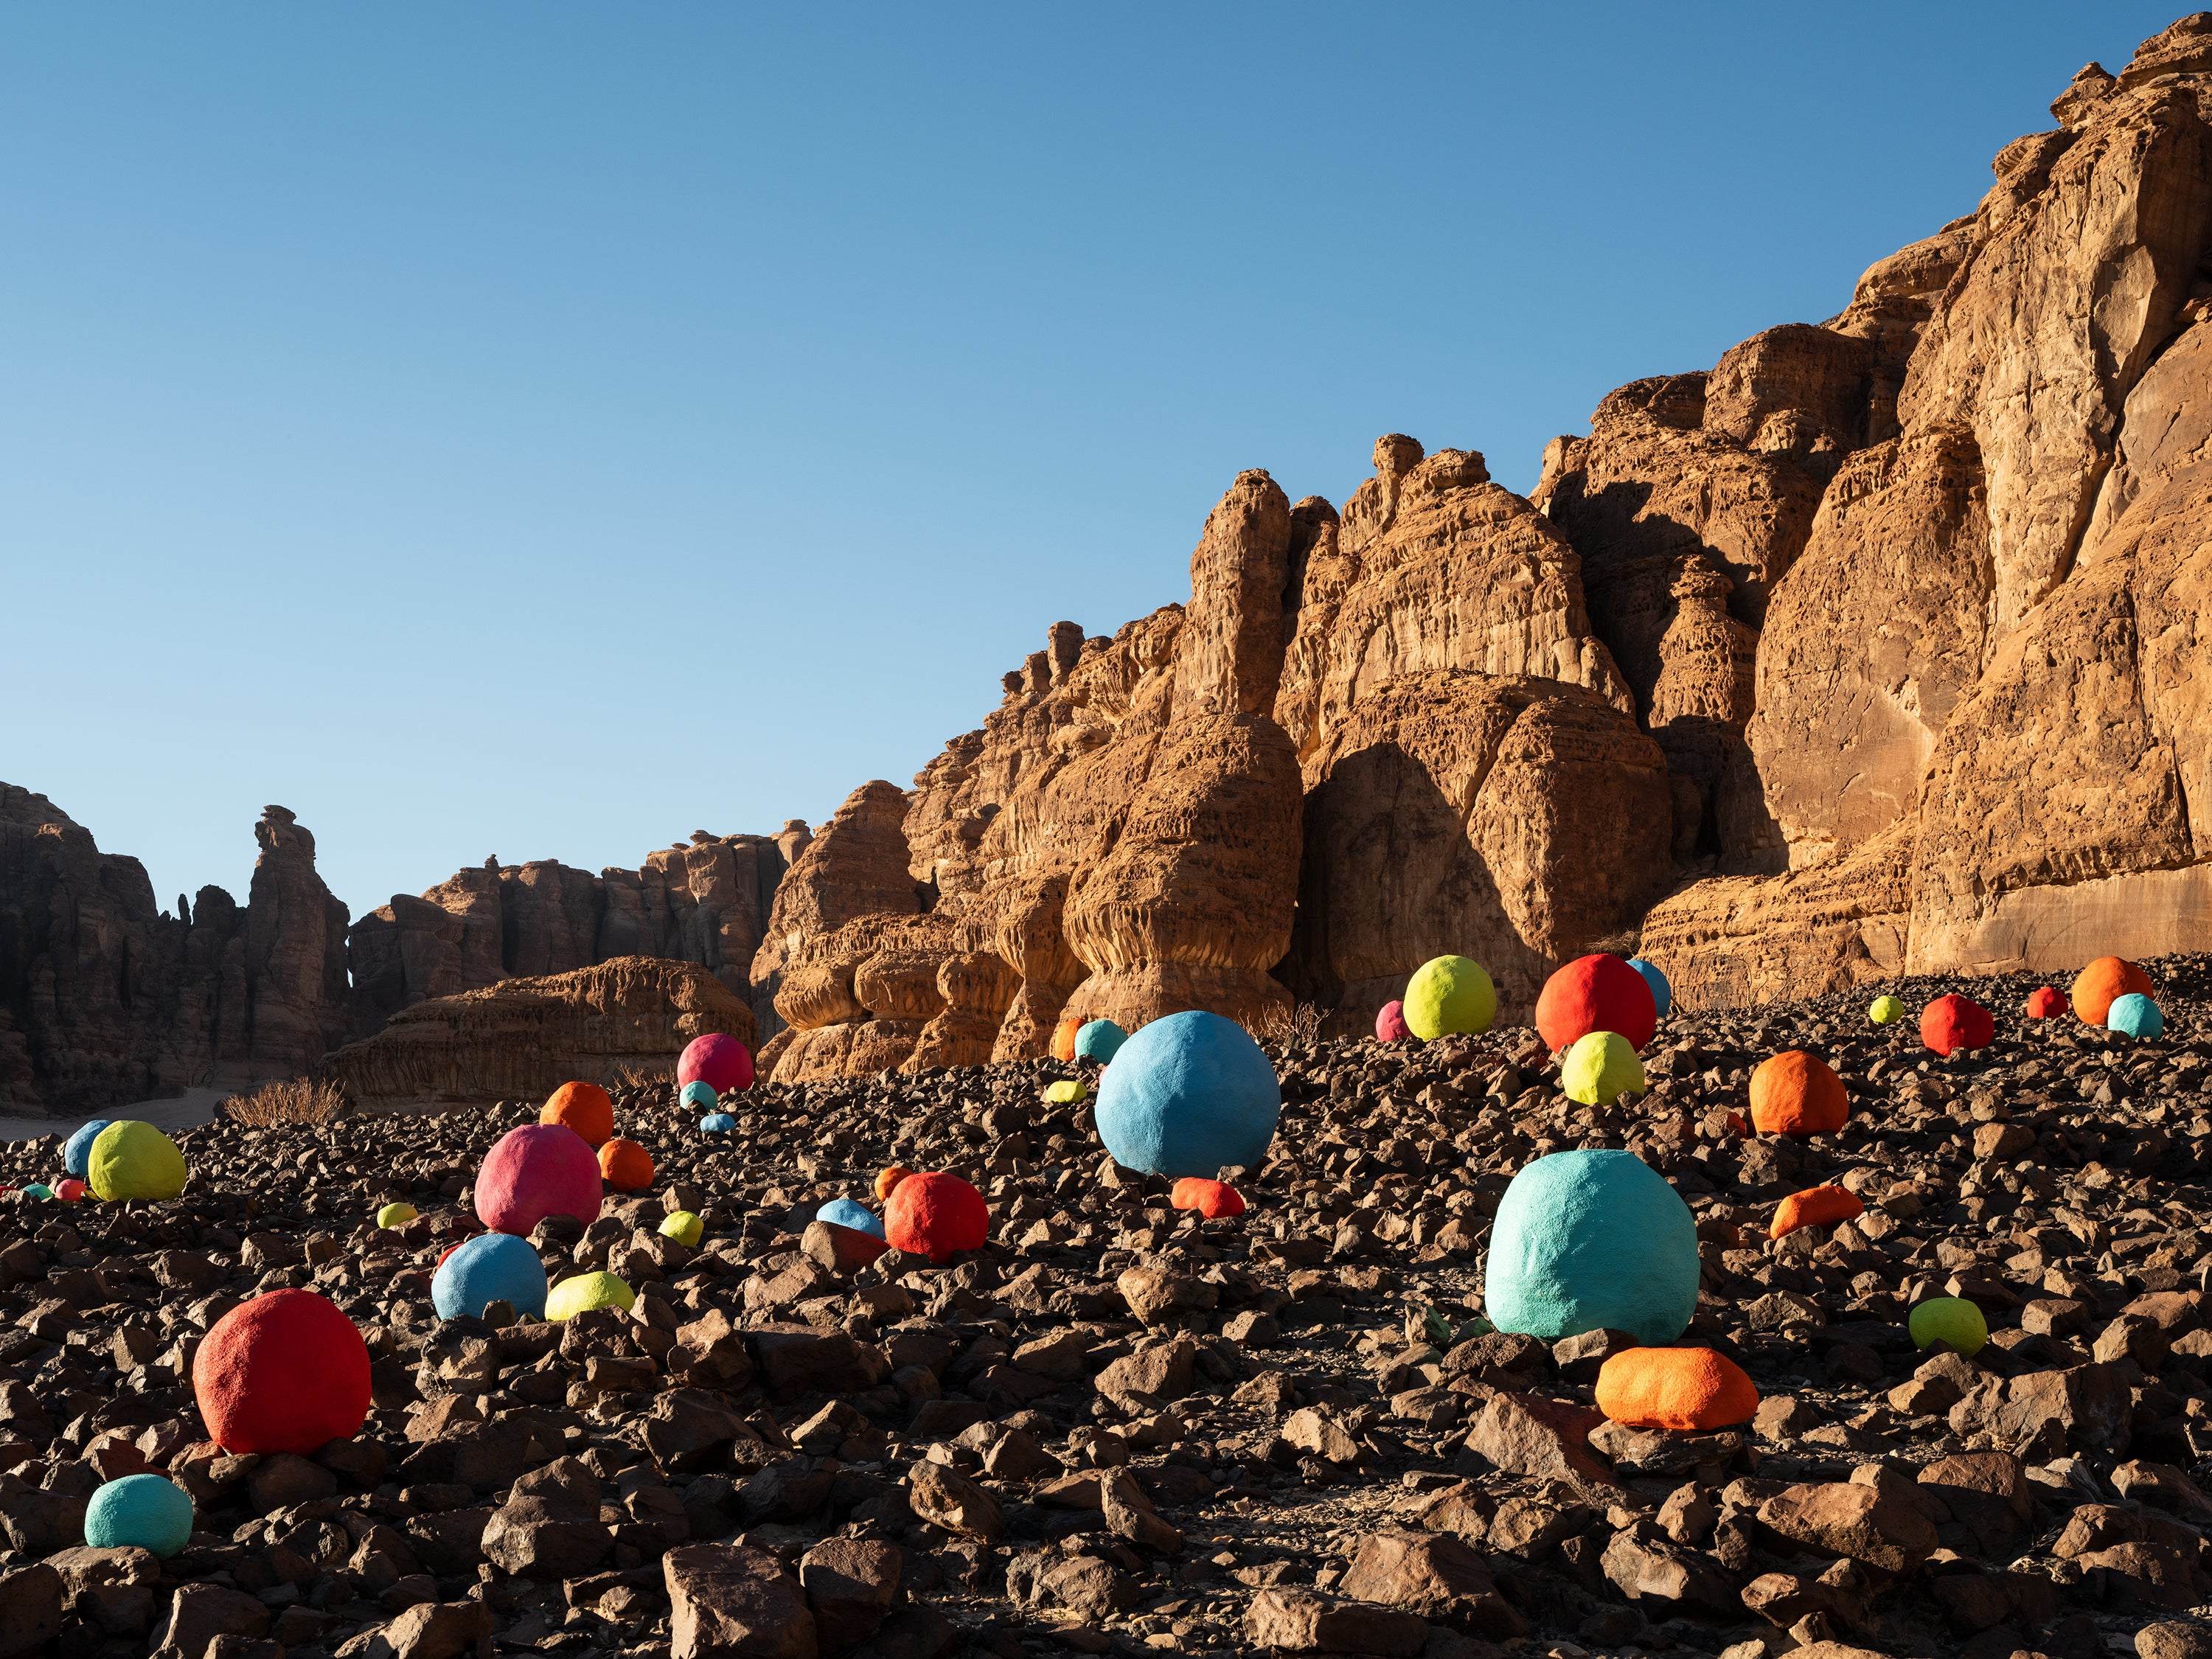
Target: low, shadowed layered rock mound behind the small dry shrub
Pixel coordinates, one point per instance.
(523, 1039)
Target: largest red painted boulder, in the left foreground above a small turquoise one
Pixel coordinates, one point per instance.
(284, 1373)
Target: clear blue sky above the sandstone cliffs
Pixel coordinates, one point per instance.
(545, 430)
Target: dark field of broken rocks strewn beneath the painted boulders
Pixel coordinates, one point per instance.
(1127, 1430)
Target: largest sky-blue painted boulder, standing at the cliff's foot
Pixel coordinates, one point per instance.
(1189, 1096)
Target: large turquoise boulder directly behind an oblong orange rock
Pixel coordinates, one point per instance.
(1592, 1242)
